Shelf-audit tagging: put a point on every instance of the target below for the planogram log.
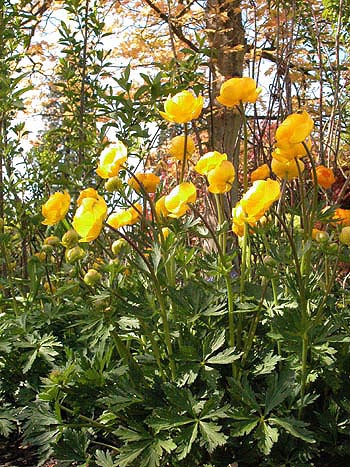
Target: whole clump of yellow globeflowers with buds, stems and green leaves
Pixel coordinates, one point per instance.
(197, 336)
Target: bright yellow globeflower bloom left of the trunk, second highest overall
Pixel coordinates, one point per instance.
(182, 108)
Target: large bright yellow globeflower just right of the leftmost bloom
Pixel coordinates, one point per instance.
(89, 217)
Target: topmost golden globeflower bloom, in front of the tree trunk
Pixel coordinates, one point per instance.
(236, 90)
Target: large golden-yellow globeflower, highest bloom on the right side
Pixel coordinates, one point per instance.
(296, 128)
